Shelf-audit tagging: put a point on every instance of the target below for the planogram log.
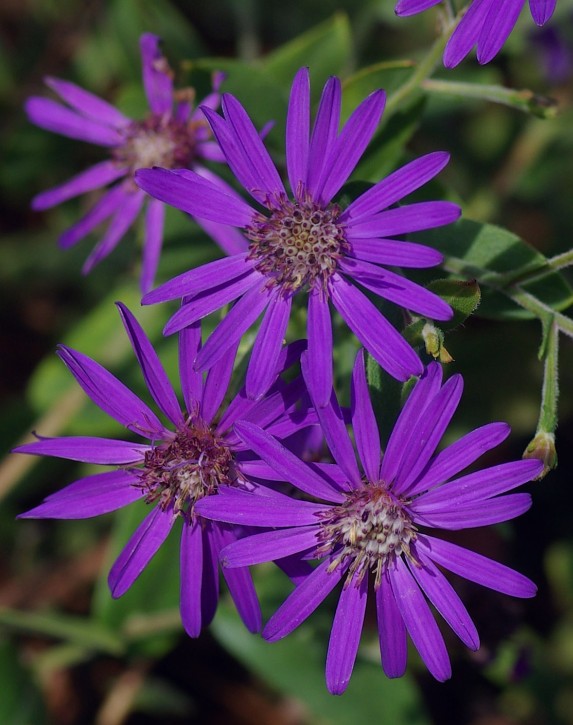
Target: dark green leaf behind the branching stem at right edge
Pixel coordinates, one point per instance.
(497, 258)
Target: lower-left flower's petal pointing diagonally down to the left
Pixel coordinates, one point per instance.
(139, 550)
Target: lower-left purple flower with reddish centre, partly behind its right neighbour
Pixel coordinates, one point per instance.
(196, 456)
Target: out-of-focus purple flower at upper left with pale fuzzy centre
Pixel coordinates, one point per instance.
(174, 134)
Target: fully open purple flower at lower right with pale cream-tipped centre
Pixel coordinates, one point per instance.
(373, 526)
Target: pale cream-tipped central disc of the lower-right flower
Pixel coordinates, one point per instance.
(370, 528)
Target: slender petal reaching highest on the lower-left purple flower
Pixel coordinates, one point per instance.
(155, 376)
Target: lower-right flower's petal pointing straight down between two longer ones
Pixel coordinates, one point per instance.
(391, 630)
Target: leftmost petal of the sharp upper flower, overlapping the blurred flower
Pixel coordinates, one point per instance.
(195, 195)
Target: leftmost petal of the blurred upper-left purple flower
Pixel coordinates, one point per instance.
(52, 116)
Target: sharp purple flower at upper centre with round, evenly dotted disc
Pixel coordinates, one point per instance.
(306, 243)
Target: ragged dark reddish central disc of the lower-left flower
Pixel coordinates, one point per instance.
(187, 468)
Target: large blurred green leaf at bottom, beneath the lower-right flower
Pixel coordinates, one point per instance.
(295, 666)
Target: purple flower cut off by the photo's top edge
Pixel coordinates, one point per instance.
(486, 25)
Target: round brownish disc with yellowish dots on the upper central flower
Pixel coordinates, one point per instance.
(299, 244)
